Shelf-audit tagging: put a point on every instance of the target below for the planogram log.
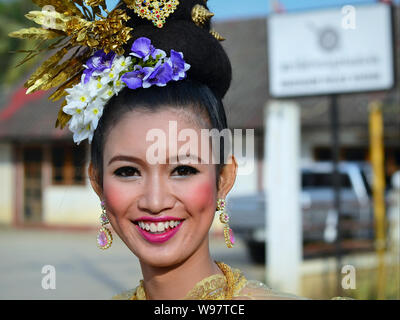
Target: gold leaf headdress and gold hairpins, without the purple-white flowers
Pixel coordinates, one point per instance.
(77, 33)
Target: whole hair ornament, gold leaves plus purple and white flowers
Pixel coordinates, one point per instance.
(89, 66)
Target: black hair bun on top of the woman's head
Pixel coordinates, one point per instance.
(209, 62)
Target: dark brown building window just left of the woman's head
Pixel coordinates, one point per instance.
(68, 164)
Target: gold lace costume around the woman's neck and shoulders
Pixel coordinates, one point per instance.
(233, 285)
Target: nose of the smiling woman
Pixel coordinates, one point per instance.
(156, 196)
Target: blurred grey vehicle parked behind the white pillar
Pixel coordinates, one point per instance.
(319, 218)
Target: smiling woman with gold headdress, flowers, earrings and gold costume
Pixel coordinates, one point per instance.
(160, 197)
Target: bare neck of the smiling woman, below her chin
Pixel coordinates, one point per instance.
(173, 283)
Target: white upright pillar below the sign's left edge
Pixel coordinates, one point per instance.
(282, 175)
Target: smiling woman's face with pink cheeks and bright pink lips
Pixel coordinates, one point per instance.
(163, 210)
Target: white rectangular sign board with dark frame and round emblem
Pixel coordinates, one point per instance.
(346, 49)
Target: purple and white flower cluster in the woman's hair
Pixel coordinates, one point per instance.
(107, 74)
